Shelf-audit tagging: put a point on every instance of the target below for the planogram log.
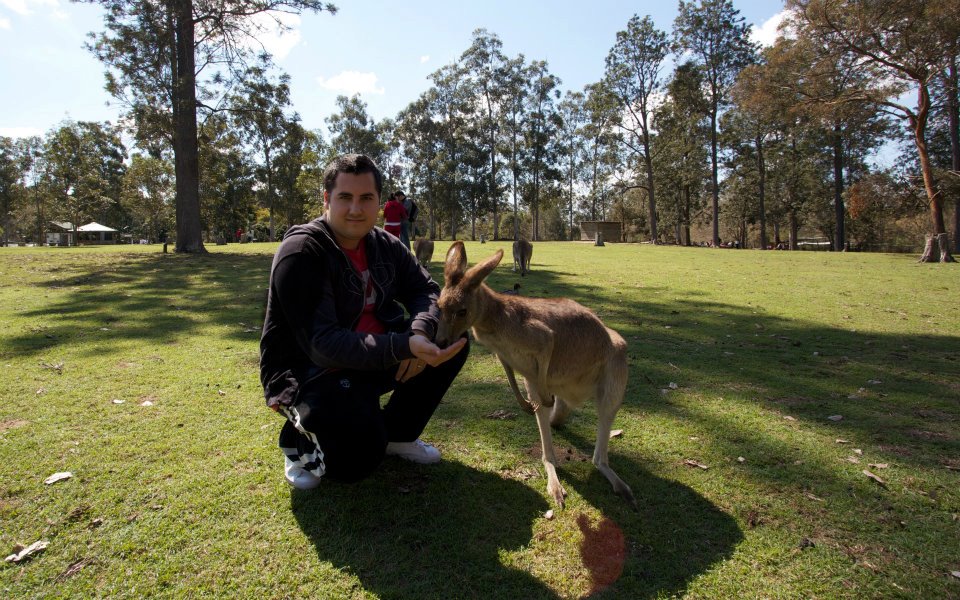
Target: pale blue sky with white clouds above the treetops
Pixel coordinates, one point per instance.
(384, 50)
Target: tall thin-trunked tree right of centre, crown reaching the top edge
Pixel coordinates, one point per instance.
(717, 36)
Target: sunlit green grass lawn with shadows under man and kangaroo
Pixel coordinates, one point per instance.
(185, 497)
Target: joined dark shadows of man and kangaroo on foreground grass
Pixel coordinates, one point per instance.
(441, 532)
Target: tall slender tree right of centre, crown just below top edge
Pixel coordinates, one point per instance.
(633, 74)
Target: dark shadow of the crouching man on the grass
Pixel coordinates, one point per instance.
(425, 532)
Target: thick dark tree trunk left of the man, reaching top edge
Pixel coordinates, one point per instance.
(185, 146)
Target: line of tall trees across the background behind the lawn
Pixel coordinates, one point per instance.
(693, 135)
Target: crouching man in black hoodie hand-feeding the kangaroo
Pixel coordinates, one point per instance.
(335, 338)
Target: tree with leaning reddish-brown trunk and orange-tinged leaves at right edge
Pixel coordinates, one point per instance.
(904, 42)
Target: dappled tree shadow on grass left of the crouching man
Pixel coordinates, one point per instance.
(112, 298)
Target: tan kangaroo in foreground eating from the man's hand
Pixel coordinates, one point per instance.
(564, 352)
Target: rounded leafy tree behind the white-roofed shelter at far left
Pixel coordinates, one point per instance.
(83, 170)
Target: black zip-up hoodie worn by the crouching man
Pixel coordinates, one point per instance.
(315, 300)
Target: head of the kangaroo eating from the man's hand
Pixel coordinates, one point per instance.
(461, 303)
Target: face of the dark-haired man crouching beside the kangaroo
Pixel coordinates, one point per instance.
(352, 207)
